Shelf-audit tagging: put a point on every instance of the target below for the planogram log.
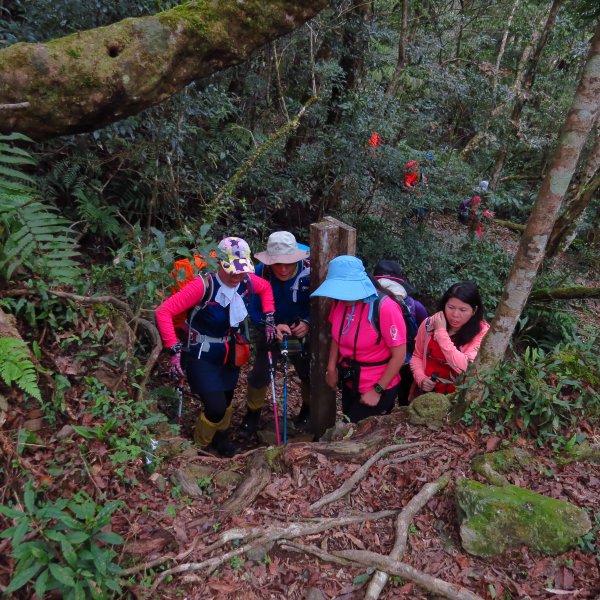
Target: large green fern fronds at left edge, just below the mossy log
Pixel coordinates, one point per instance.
(34, 236)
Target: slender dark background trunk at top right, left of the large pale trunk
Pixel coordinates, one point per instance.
(523, 84)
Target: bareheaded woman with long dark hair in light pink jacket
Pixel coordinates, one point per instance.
(449, 340)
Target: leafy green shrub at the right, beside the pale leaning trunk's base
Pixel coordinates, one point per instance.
(542, 394)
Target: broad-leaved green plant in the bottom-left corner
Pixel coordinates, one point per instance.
(63, 545)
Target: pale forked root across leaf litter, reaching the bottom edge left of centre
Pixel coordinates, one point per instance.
(266, 536)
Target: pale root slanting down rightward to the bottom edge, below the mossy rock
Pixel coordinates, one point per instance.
(434, 585)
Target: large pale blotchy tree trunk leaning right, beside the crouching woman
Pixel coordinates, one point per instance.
(577, 126)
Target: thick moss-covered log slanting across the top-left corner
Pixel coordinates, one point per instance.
(92, 78)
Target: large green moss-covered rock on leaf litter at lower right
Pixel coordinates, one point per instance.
(495, 519)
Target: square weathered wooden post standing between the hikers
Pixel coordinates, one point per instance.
(328, 239)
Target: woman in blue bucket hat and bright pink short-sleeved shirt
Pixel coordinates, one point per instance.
(363, 361)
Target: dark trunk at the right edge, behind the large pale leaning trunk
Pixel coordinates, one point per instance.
(563, 232)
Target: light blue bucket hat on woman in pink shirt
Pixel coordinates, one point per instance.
(346, 280)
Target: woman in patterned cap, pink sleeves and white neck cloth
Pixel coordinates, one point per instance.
(221, 300)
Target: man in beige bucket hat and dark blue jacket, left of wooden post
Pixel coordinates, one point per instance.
(285, 265)
